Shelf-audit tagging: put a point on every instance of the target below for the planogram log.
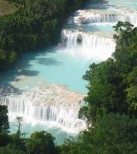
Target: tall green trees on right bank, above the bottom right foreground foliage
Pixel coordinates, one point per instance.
(112, 83)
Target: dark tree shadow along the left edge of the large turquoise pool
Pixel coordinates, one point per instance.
(23, 66)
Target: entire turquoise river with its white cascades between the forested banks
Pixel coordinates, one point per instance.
(46, 87)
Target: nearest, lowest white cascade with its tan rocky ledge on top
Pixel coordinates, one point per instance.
(47, 105)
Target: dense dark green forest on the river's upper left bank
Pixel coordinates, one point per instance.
(33, 26)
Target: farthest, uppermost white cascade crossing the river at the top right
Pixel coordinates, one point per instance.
(96, 17)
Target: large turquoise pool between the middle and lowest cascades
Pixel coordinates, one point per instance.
(53, 66)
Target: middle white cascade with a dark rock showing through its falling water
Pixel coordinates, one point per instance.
(87, 45)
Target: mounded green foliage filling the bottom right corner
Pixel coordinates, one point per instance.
(113, 134)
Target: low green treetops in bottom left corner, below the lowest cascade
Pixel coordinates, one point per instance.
(38, 143)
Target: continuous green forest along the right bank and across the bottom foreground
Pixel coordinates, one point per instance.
(111, 113)
